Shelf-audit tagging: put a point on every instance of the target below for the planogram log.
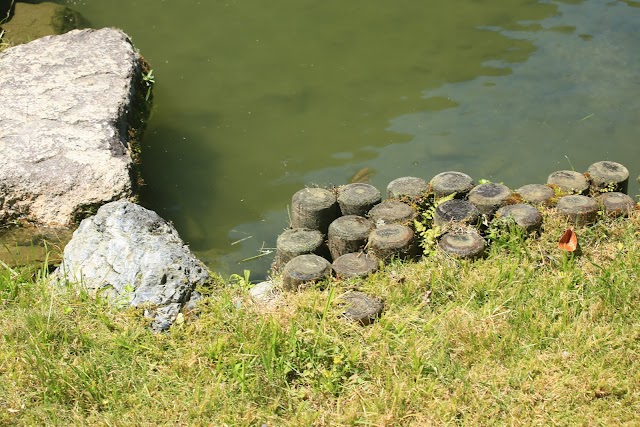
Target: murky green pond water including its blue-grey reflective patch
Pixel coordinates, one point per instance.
(255, 100)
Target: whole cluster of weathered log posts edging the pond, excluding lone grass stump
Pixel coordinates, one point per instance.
(362, 230)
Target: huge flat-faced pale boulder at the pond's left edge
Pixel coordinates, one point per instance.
(70, 105)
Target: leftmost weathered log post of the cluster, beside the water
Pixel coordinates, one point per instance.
(298, 241)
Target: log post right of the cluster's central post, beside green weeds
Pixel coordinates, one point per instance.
(392, 241)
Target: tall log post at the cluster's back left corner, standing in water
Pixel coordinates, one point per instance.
(313, 208)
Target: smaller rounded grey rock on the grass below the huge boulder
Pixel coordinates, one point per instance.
(130, 255)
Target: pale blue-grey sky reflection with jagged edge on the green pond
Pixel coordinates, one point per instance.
(567, 106)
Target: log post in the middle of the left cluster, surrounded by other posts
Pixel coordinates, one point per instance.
(348, 234)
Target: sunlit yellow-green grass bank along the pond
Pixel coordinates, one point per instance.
(527, 336)
